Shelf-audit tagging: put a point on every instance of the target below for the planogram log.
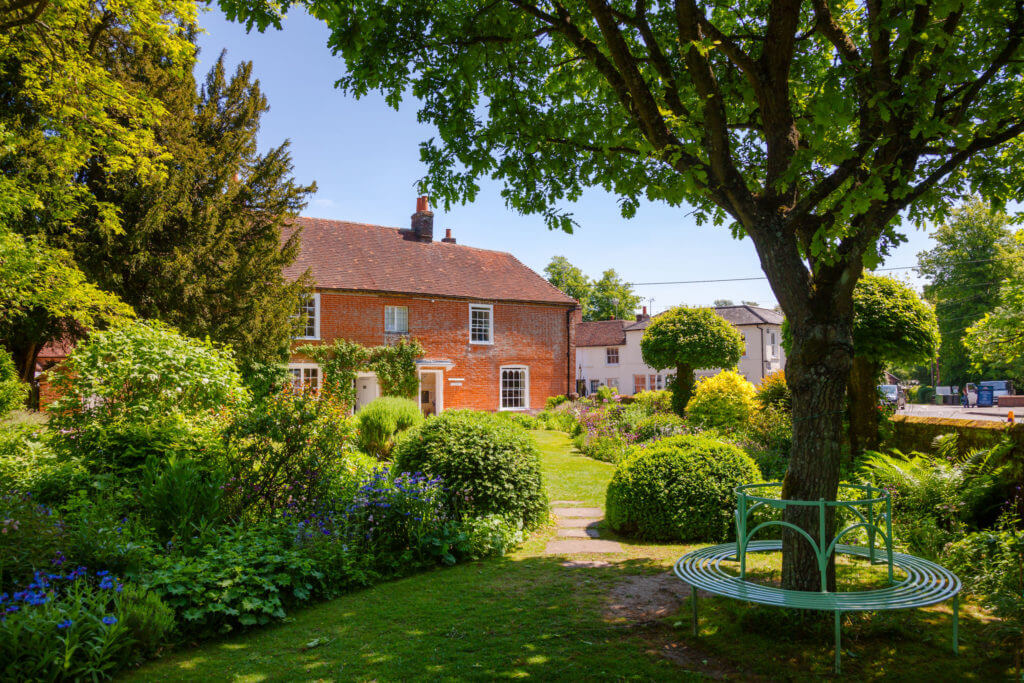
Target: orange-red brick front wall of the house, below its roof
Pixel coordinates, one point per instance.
(525, 334)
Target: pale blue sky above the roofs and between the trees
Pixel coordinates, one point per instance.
(366, 161)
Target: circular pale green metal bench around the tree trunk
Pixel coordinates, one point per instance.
(924, 583)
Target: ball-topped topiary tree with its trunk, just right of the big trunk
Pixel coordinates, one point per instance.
(891, 324)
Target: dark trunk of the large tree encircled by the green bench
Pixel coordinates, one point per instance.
(817, 372)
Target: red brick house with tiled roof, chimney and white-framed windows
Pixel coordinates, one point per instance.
(498, 336)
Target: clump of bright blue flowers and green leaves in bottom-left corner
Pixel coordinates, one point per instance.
(82, 630)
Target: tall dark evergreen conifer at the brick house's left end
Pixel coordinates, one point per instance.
(202, 248)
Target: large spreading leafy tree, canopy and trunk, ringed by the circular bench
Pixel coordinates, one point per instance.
(812, 127)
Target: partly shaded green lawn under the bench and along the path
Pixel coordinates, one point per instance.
(529, 616)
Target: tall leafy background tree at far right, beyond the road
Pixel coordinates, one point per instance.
(971, 254)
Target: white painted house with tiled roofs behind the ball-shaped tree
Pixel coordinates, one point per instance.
(609, 352)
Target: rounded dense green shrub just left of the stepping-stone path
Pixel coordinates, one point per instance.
(488, 464)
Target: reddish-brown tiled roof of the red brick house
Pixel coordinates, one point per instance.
(373, 259)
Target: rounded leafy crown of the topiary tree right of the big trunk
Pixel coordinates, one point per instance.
(891, 324)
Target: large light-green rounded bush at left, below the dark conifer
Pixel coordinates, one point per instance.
(143, 372)
